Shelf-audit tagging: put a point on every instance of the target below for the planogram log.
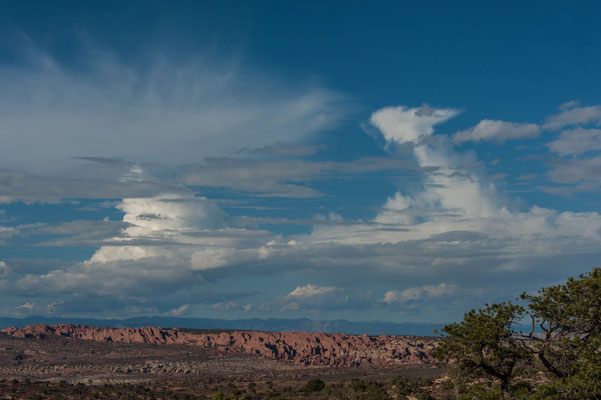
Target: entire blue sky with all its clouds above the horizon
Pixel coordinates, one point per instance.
(397, 161)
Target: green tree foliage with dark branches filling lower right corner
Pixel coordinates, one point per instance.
(489, 359)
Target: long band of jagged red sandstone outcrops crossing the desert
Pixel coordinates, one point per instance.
(298, 348)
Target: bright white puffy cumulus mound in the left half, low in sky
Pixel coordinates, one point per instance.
(182, 229)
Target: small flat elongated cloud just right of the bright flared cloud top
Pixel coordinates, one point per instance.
(499, 131)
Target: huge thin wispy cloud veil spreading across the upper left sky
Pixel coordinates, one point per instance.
(163, 111)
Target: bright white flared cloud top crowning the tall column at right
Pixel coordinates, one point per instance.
(402, 124)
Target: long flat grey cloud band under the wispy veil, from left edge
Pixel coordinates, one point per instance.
(102, 178)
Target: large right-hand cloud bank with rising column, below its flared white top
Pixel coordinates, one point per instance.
(458, 227)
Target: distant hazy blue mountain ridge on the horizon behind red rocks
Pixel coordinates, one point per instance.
(253, 324)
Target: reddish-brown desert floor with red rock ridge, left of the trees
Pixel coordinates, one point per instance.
(67, 361)
